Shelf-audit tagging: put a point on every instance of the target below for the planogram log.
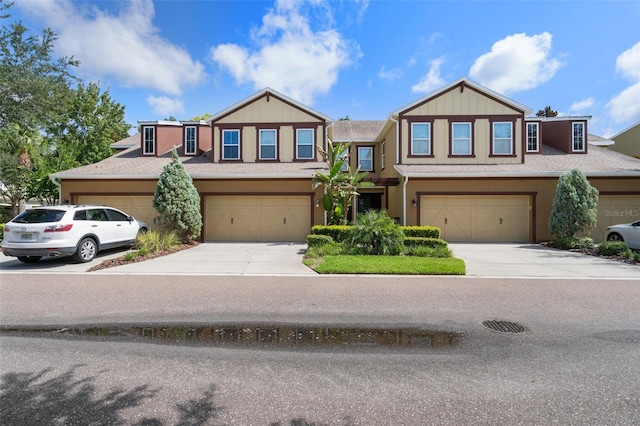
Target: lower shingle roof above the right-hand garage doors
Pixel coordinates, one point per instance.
(551, 162)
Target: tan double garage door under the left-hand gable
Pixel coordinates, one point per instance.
(257, 218)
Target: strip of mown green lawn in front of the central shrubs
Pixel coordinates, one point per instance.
(394, 265)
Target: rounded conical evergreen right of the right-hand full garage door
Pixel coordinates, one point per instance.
(574, 208)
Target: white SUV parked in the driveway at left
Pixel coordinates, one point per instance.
(80, 231)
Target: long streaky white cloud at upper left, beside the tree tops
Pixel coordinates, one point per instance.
(125, 46)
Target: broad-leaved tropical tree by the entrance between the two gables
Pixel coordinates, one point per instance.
(340, 186)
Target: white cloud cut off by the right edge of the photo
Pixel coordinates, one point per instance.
(625, 107)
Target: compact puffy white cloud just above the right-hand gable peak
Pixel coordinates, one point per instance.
(515, 63)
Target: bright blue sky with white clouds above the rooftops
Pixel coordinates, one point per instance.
(357, 58)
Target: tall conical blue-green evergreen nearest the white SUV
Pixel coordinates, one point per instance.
(177, 201)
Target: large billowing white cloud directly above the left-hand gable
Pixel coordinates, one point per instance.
(289, 56)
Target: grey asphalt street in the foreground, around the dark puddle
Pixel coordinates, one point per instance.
(578, 362)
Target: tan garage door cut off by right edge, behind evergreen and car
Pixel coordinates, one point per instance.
(614, 209)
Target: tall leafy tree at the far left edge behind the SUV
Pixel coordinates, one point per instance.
(33, 89)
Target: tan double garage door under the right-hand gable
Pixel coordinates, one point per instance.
(478, 218)
